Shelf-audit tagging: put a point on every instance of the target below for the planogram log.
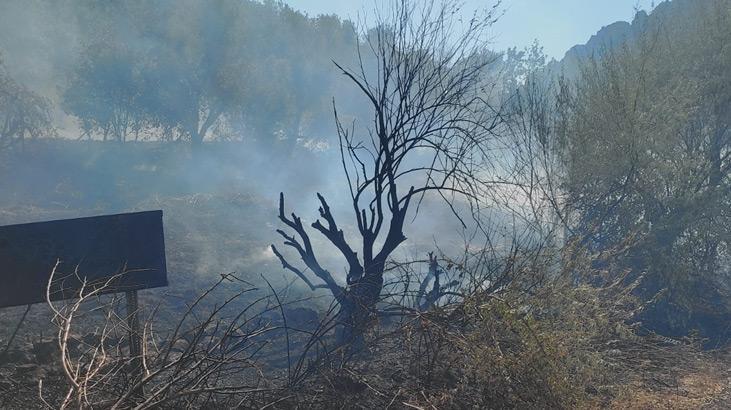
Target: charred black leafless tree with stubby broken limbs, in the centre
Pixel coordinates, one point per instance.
(422, 70)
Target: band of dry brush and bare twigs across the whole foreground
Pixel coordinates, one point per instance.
(556, 346)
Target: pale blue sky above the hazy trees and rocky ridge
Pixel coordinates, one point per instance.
(558, 24)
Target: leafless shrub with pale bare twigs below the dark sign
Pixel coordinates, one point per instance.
(208, 358)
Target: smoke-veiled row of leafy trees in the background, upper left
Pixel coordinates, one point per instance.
(203, 70)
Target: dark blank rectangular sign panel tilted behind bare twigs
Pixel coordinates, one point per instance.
(122, 253)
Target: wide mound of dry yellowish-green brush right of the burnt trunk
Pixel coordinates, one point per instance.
(561, 345)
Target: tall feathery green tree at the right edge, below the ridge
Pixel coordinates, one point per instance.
(646, 143)
